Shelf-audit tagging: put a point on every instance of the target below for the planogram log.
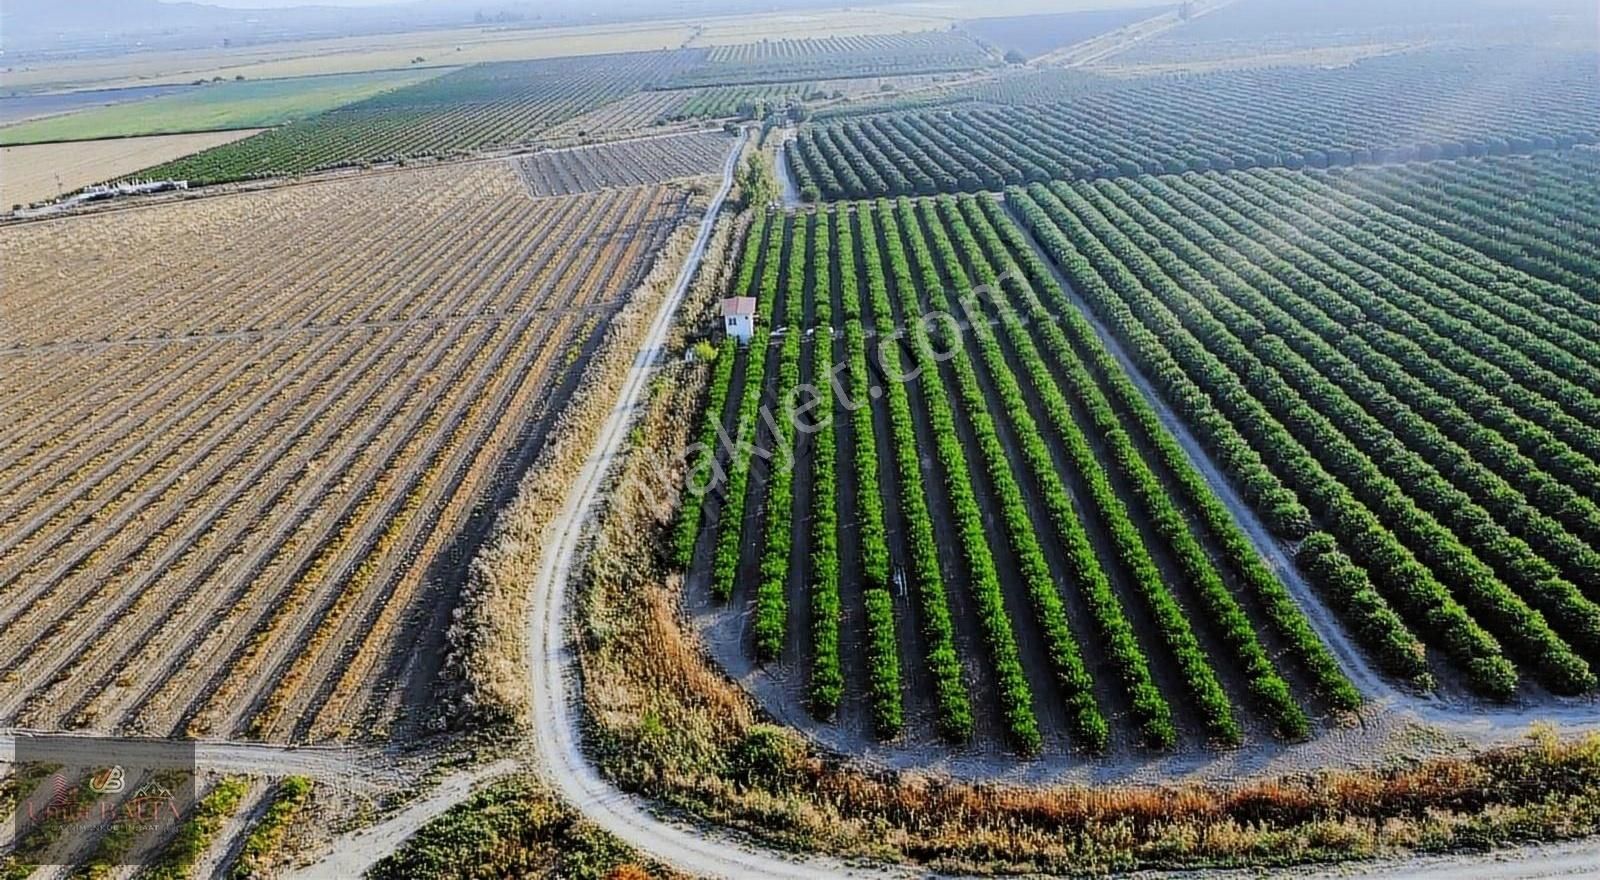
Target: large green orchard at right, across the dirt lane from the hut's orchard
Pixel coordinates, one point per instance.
(1391, 356)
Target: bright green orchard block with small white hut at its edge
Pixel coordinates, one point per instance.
(1010, 543)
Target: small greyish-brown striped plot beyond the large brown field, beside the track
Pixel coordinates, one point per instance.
(625, 164)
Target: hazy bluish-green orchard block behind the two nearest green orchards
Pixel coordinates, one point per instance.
(1393, 110)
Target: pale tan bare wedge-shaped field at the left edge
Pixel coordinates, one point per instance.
(31, 174)
